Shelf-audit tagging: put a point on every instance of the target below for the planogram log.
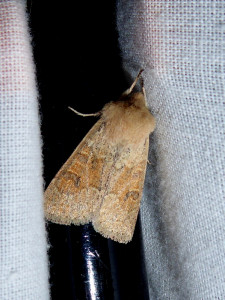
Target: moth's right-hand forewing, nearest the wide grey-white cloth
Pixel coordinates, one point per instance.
(118, 211)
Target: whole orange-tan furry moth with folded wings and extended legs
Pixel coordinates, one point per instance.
(102, 181)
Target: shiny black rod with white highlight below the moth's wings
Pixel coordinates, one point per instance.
(91, 264)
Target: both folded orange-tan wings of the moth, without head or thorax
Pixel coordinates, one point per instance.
(99, 183)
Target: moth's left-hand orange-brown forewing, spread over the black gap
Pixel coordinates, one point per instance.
(73, 193)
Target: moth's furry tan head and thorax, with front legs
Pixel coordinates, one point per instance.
(129, 120)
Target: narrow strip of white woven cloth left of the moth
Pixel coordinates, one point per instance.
(23, 248)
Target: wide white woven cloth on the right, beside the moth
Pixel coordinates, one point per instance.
(181, 45)
